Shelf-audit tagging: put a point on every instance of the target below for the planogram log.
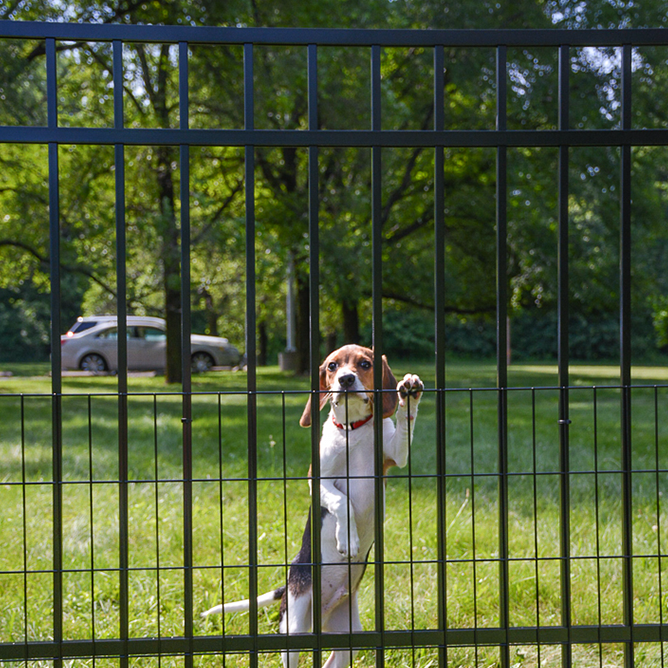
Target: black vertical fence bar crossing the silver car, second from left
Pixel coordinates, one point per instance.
(122, 353)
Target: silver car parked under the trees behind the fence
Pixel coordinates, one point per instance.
(91, 345)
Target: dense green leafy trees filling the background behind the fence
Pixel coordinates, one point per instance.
(217, 178)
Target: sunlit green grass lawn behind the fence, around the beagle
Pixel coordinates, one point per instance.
(220, 509)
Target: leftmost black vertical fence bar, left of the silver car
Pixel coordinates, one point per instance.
(56, 372)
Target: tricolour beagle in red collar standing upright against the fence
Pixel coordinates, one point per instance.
(347, 495)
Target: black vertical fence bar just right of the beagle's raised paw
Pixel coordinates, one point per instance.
(439, 324)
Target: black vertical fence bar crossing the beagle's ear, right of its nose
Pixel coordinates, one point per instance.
(377, 327)
